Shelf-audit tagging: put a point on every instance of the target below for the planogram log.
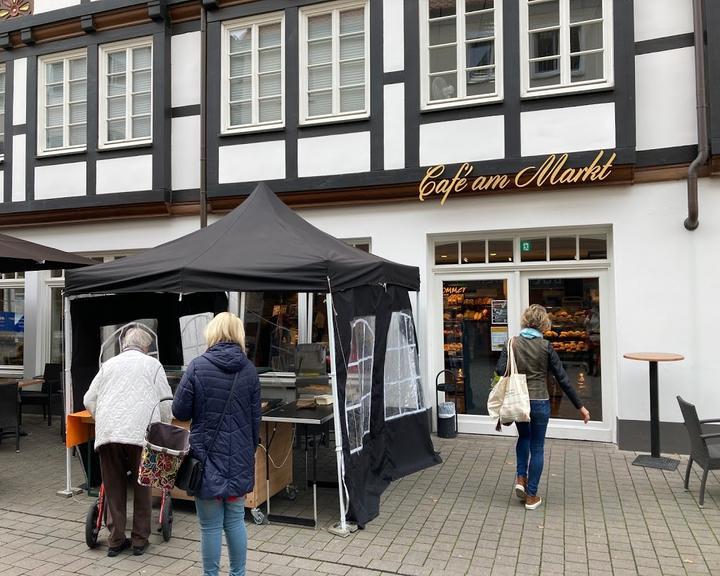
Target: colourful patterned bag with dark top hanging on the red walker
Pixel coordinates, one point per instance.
(165, 447)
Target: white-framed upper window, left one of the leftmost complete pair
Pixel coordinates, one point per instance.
(62, 102)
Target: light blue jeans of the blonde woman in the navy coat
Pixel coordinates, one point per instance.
(215, 516)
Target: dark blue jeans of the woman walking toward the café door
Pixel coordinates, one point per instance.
(530, 448)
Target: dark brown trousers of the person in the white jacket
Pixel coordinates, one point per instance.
(116, 460)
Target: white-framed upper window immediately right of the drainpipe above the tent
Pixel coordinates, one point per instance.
(253, 73)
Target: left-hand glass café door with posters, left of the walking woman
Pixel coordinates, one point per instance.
(478, 316)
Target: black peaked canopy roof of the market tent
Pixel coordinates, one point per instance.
(262, 245)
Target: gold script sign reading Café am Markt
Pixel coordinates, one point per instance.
(551, 172)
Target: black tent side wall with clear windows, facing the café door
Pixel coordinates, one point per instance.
(390, 449)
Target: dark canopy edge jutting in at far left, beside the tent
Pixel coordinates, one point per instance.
(18, 255)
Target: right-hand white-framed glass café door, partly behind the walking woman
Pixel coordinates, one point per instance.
(579, 308)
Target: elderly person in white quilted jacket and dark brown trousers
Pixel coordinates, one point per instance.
(121, 398)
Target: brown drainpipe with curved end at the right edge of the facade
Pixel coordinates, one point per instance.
(691, 222)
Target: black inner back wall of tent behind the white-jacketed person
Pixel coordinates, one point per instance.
(90, 314)
